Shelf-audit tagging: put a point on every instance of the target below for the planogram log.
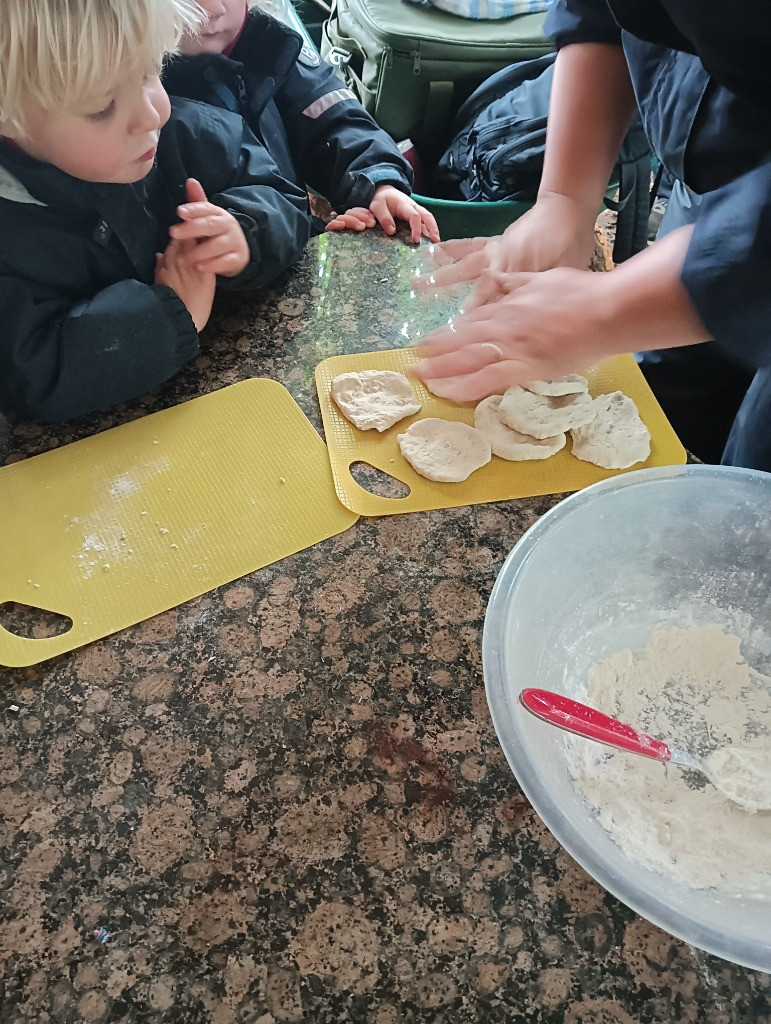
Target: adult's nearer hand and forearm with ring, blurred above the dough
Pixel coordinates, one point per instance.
(562, 321)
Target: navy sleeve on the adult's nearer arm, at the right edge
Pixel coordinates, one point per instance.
(729, 267)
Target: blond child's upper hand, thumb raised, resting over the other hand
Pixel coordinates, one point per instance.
(220, 244)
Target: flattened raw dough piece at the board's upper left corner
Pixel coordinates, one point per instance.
(375, 400)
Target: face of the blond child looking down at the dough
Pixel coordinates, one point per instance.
(113, 140)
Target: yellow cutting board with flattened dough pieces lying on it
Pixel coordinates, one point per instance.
(498, 481)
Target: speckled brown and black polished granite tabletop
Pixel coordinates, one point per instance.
(285, 800)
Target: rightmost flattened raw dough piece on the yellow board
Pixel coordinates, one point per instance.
(616, 438)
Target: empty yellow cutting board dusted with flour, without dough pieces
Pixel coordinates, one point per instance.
(133, 522)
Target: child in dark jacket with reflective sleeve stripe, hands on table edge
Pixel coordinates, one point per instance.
(314, 125)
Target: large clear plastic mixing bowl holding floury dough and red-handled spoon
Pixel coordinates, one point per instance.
(598, 574)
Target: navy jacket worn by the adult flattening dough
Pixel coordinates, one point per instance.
(702, 74)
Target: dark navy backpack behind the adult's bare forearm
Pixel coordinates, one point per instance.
(497, 153)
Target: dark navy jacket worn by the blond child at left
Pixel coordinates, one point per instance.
(82, 325)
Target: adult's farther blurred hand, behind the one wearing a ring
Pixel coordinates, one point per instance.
(558, 232)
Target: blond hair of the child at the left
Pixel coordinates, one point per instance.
(57, 54)
